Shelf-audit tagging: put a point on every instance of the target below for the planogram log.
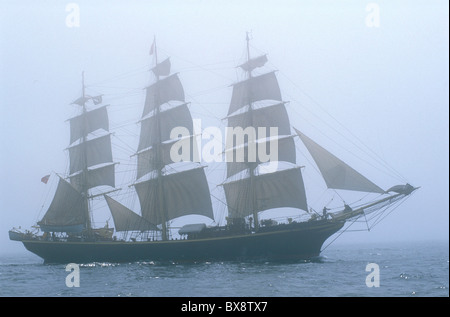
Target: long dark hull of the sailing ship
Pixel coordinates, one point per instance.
(296, 241)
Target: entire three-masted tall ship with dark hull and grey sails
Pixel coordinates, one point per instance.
(168, 189)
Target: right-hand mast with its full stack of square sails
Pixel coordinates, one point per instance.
(256, 105)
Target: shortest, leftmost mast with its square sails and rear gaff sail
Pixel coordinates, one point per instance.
(90, 165)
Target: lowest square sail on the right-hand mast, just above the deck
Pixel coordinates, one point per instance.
(272, 190)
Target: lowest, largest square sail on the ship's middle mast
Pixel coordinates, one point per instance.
(186, 193)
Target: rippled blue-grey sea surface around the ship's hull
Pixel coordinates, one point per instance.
(418, 269)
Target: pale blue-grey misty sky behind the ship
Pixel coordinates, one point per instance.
(386, 83)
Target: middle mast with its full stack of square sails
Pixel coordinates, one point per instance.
(165, 192)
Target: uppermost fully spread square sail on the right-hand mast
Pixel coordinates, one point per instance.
(262, 87)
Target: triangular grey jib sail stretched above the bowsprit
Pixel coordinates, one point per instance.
(336, 173)
